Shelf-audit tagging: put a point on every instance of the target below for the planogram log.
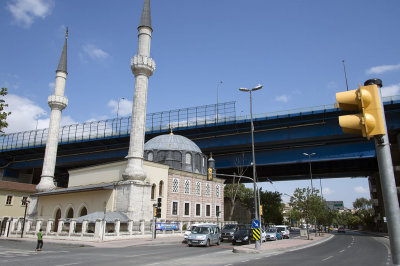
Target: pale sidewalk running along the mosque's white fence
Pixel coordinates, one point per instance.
(106, 244)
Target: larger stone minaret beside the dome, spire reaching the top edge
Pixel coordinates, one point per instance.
(142, 66)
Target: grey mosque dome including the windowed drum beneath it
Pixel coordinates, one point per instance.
(176, 151)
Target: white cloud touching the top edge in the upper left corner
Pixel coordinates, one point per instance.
(26, 11)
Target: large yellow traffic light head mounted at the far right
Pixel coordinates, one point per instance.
(369, 121)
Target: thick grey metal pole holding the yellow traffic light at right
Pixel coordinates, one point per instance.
(388, 185)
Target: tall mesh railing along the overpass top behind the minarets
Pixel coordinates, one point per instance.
(112, 128)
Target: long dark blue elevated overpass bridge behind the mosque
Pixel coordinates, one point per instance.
(281, 138)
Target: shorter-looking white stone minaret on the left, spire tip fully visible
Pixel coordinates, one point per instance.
(57, 103)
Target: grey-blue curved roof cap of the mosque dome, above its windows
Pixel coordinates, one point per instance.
(171, 142)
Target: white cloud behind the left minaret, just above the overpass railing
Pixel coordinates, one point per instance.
(26, 115)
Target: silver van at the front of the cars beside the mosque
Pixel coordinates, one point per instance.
(204, 235)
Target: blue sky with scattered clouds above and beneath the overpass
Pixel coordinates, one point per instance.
(294, 48)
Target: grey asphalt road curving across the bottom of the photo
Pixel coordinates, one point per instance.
(349, 249)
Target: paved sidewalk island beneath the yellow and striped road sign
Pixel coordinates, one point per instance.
(283, 245)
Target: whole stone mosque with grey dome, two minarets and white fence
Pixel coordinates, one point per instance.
(118, 199)
